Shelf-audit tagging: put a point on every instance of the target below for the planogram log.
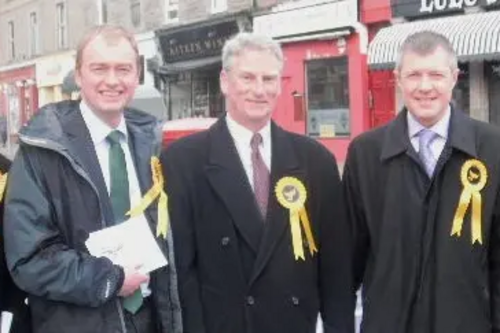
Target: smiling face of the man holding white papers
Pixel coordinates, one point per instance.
(108, 76)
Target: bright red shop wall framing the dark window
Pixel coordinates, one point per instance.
(296, 55)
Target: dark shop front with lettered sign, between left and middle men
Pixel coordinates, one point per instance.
(191, 64)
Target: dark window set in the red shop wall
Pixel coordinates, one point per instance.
(328, 98)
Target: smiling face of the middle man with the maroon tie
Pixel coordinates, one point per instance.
(252, 86)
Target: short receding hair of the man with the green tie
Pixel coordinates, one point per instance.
(111, 34)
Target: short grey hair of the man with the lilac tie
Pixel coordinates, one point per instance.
(424, 43)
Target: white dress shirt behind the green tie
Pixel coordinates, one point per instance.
(99, 130)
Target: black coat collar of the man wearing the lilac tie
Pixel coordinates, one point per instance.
(461, 135)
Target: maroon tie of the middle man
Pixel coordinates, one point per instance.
(260, 175)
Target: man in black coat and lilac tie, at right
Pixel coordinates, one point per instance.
(423, 196)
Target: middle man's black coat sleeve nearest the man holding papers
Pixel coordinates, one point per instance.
(181, 217)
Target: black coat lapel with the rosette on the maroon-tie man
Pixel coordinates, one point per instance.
(284, 163)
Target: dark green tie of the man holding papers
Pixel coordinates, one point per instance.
(120, 199)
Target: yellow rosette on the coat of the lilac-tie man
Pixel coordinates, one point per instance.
(473, 176)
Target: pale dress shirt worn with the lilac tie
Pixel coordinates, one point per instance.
(440, 128)
